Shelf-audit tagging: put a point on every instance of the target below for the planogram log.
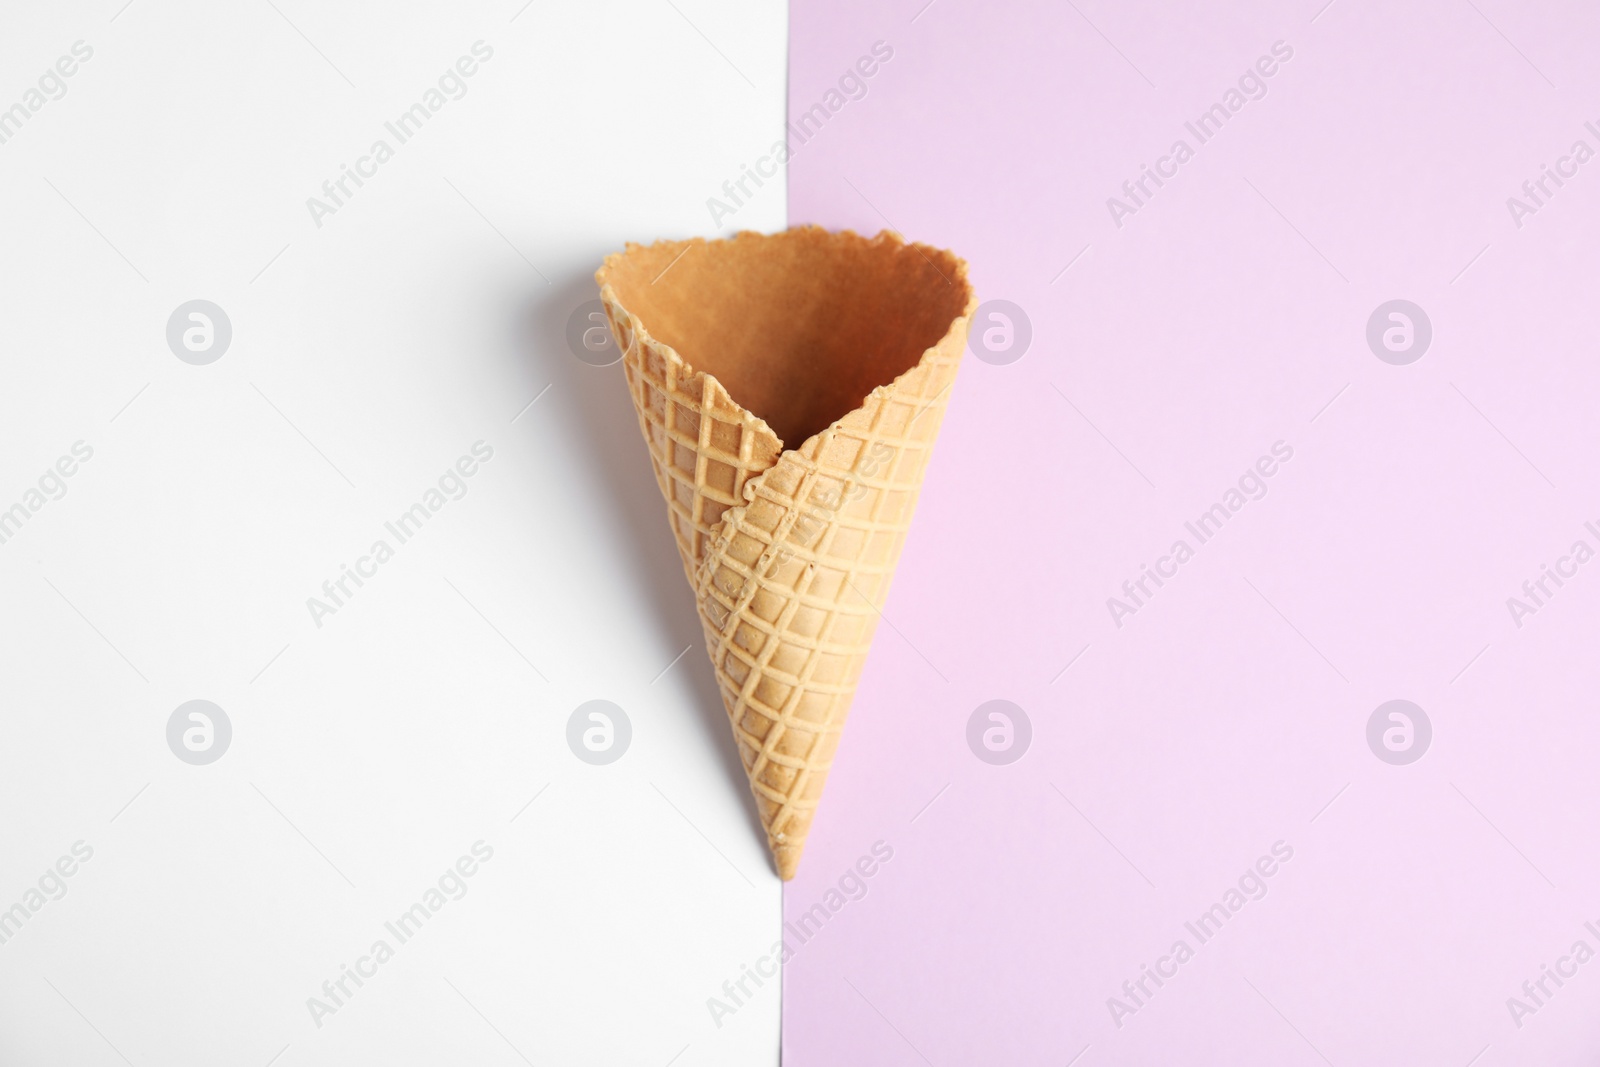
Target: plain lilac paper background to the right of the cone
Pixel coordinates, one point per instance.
(1231, 711)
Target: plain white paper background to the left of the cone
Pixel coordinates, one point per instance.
(375, 351)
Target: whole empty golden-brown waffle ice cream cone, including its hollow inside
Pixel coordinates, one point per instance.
(790, 390)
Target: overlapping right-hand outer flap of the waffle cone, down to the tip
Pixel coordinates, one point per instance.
(791, 588)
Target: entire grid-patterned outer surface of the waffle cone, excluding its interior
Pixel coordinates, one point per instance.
(790, 553)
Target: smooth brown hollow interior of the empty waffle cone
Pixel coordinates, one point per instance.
(798, 327)
